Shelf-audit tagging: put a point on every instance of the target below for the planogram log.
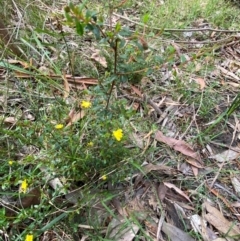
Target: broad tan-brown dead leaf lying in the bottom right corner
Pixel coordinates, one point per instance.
(215, 218)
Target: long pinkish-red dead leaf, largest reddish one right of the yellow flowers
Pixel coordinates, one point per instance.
(178, 145)
